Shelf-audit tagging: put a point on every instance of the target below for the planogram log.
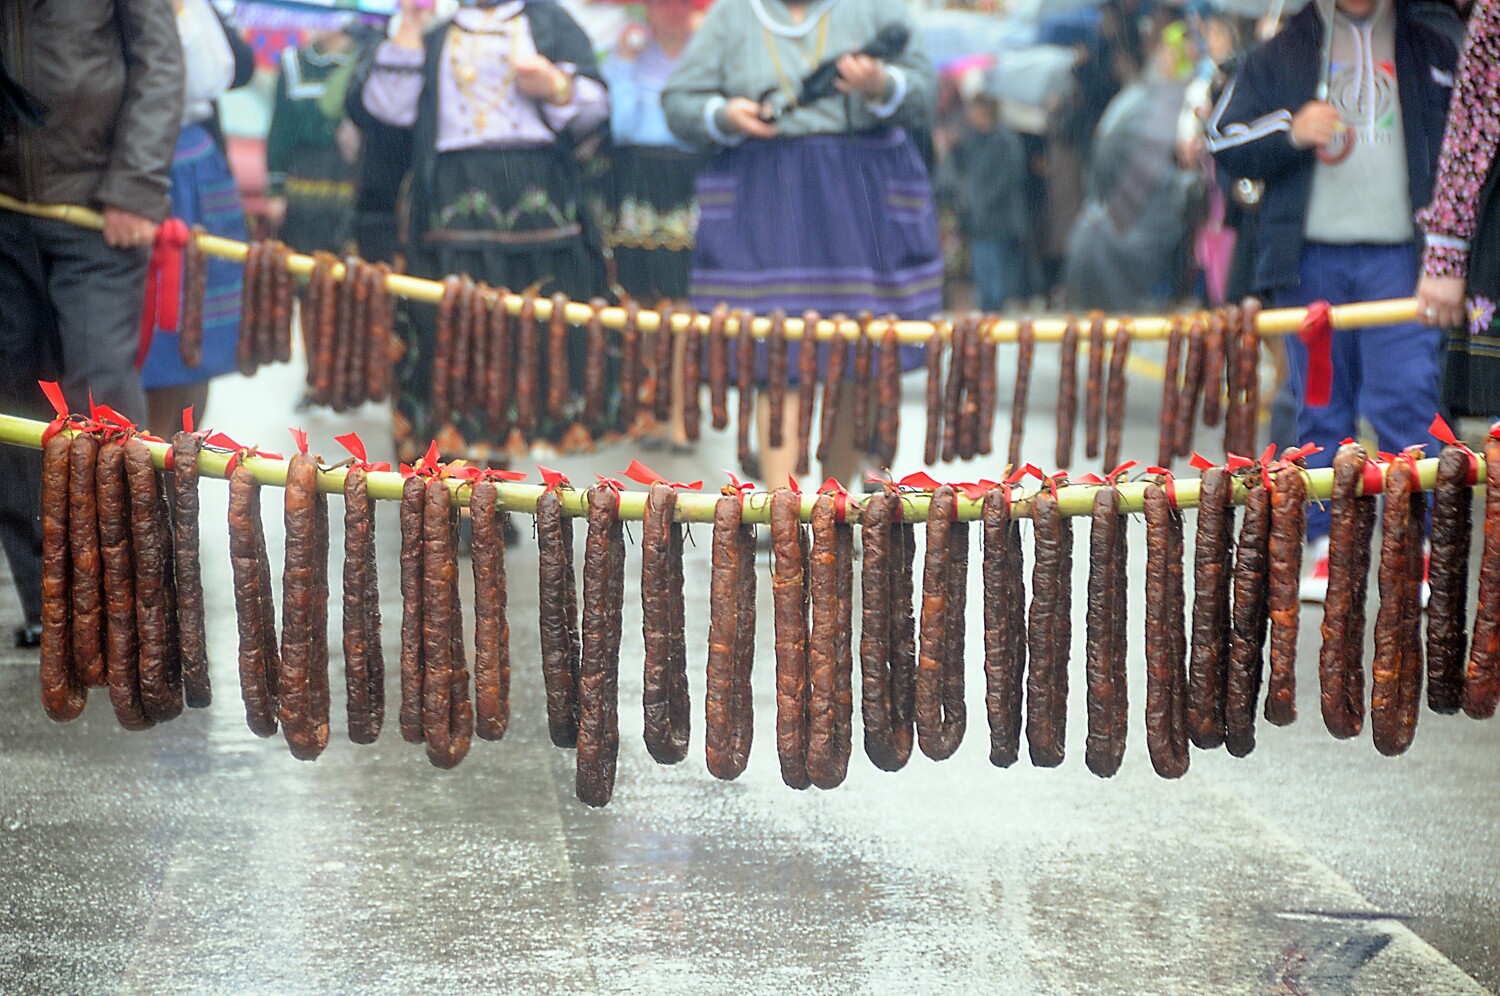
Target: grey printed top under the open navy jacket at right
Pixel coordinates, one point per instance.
(1366, 199)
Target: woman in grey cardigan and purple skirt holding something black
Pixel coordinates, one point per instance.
(824, 206)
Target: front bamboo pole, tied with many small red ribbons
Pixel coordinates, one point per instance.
(1075, 500)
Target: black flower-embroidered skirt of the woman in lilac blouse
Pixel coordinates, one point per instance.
(511, 220)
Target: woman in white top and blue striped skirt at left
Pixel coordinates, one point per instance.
(203, 193)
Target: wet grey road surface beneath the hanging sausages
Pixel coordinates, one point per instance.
(197, 859)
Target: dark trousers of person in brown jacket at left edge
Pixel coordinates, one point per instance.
(70, 313)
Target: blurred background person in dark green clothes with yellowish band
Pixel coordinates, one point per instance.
(310, 178)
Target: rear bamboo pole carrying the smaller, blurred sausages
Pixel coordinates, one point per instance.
(1271, 323)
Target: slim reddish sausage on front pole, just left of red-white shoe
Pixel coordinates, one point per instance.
(1285, 553)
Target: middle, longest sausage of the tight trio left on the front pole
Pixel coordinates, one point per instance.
(448, 716)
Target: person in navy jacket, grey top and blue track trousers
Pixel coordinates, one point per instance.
(1345, 232)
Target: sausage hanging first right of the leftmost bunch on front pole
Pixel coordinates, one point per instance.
(253, 604)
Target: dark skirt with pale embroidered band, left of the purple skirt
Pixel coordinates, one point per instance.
(653, 220)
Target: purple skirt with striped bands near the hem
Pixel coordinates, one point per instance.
(824, 223)
